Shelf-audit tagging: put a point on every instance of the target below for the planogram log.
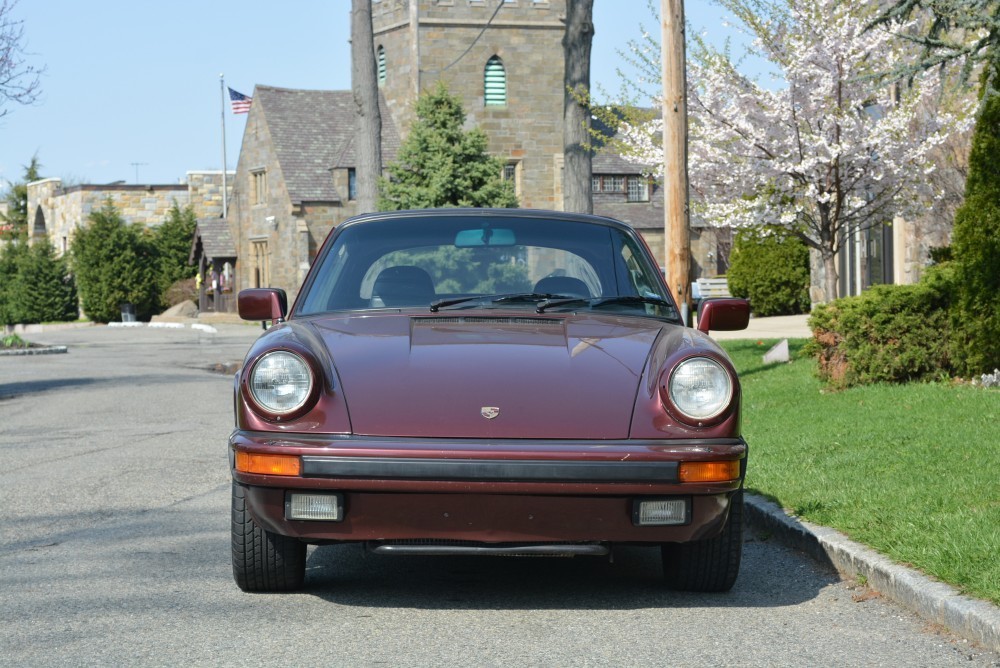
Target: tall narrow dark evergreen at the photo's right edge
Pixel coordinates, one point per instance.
(976, 250)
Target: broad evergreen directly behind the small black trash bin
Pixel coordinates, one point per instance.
(114, 264)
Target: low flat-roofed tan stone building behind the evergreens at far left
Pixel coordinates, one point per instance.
(55, 211)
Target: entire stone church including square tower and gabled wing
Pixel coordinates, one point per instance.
(294, 178)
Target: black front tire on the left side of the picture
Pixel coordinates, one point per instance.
(263, 561)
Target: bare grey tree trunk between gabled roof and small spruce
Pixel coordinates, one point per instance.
(368, 117)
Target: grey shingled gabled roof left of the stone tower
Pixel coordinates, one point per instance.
(311, 132)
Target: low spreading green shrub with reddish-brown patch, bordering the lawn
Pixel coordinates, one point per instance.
(891, 333)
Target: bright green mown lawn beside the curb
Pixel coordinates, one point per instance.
(910, 470)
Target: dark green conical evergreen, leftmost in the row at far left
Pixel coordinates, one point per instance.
(43, 290)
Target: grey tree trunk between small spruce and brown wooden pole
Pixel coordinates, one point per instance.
(577, 157)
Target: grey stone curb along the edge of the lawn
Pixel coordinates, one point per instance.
(936, 602)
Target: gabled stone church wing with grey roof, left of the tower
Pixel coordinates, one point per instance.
(294, 182)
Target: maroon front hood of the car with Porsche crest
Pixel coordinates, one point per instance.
(492, 376)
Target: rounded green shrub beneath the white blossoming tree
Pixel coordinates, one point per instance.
(771, 269)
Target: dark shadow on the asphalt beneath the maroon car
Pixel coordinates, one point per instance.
(347, 575)
